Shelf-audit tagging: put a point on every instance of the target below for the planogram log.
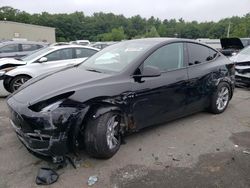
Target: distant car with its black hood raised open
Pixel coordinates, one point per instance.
(231, 46)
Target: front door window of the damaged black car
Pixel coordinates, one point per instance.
(167, 58)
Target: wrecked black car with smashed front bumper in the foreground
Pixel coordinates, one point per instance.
(123, 88)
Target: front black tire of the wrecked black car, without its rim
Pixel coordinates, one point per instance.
(95, 136)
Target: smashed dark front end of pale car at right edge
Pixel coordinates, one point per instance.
(242, 74)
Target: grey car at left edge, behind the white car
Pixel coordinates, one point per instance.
(18, 49)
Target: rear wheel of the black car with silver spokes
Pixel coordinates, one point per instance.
(220, 98)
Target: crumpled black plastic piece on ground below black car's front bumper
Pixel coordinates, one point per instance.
(46, 176)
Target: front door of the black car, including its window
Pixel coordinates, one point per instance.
(159, 99)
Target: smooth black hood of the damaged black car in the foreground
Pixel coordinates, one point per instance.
(50, 85)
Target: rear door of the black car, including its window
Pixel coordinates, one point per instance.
(202, 70)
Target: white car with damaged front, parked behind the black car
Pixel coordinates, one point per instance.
(14, 73)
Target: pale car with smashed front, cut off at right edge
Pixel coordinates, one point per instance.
(242, 67)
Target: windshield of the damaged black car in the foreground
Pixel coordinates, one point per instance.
(117, 57)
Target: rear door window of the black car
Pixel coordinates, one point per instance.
(198, 54)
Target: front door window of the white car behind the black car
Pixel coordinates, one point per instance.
(62, 54)
